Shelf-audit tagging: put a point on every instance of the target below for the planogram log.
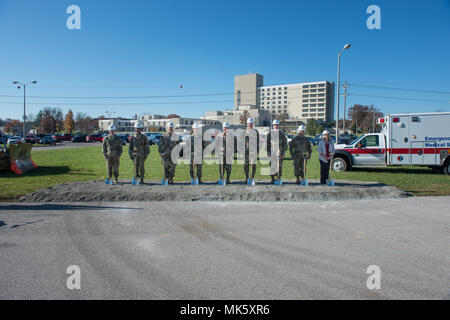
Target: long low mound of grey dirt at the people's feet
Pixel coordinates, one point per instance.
(236, 191)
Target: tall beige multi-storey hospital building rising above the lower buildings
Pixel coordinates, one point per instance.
(299, 101)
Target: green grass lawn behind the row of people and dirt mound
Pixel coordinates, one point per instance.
(80, 164)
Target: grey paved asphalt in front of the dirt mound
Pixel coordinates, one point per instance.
(216, 250)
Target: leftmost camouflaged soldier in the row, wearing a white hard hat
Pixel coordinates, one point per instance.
(112, 150)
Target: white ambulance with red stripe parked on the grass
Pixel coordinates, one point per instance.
(421, 139)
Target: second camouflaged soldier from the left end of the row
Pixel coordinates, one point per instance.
(139, 150)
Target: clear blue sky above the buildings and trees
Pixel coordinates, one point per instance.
(149, 48)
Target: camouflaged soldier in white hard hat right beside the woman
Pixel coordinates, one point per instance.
(300, 147)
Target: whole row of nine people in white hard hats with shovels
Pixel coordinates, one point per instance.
(299, 147)
